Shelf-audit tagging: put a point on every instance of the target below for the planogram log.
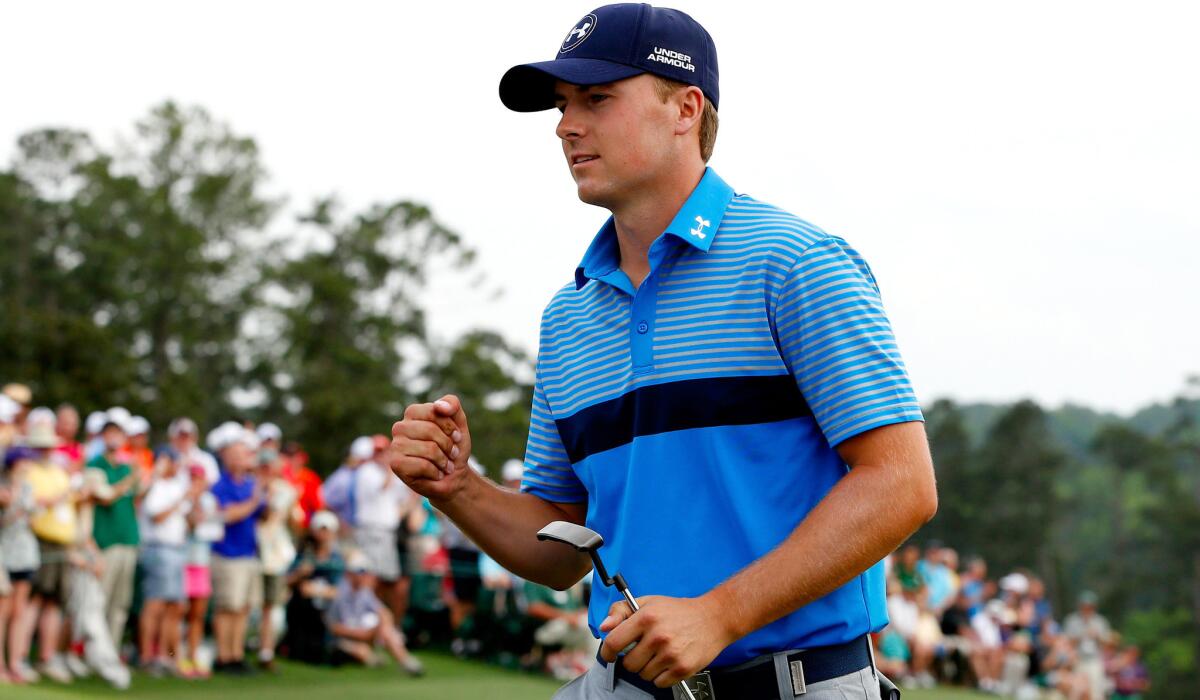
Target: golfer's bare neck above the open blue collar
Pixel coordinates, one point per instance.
(640, 222)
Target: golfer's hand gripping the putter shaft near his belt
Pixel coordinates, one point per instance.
(676, 637)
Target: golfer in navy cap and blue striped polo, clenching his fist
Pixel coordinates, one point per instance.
(718, 394)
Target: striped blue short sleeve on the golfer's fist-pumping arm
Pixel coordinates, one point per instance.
(548, 472)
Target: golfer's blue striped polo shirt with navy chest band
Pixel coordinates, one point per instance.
(698, 415)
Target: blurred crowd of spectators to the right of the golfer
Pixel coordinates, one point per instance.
(953, 625)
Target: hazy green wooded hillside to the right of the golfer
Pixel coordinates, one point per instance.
(1087, 501)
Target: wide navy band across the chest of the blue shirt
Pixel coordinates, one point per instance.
(704, 403)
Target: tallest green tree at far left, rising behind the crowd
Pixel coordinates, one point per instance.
(134, 270)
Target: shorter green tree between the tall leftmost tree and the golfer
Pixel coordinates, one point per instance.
(332, 349)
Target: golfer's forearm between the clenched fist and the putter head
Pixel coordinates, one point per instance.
(505, 524)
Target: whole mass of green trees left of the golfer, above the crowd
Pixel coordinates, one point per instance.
(147, 277)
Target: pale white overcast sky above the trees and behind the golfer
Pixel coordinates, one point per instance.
(1024, 178)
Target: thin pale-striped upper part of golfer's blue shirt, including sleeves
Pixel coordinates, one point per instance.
(773, 296)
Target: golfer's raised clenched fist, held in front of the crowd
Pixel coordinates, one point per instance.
(430, 448)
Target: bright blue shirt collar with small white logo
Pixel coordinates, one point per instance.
(697, 223)
